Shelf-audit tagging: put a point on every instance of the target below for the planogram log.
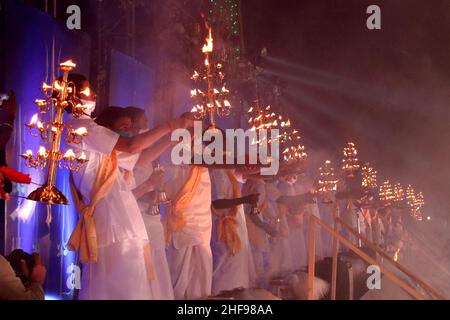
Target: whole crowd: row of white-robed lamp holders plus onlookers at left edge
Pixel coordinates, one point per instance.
(225, 228)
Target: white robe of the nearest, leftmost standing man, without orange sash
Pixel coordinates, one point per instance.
(120, 272)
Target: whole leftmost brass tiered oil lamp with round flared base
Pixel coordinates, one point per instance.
(58, 96)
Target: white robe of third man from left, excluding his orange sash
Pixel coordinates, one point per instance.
(189, 255)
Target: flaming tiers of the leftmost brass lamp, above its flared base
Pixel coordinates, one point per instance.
(60, 94)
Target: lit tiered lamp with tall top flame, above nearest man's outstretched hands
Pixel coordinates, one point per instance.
(210, 93)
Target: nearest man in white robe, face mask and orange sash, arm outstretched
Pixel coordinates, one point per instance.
(110, 236)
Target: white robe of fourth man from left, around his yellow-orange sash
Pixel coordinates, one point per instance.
(230, 271)
